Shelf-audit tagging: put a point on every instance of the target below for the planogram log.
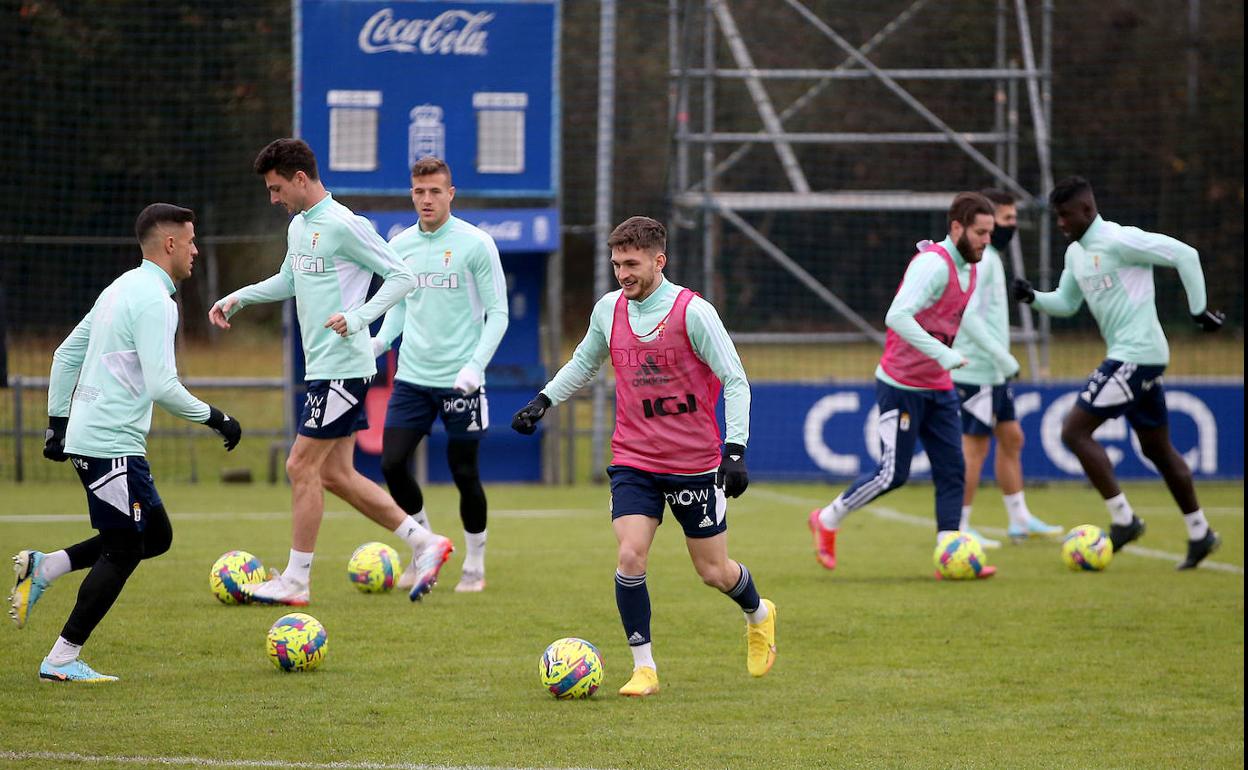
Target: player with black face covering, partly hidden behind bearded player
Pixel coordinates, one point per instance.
(984, 385)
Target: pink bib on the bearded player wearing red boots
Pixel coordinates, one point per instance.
(903, 361)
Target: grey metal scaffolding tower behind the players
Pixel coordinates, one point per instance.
(712, 200)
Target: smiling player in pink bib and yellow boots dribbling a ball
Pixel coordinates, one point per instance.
(671, 354)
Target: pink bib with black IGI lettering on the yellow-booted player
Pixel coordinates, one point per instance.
(665, 396)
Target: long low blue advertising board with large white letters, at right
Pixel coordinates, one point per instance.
(829, 432)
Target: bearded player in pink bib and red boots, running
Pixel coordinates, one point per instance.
(914, 390)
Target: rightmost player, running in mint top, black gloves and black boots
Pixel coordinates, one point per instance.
(1111, 268)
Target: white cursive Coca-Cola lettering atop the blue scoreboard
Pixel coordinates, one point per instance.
(457, 33)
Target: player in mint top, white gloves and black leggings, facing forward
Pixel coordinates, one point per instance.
(451, 325)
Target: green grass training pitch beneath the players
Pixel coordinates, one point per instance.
(879, 666)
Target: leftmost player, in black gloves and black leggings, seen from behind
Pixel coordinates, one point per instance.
(105, 378)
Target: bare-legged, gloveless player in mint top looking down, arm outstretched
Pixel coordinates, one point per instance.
(331, 258)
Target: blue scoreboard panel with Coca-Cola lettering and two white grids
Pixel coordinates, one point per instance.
(381, 84)
